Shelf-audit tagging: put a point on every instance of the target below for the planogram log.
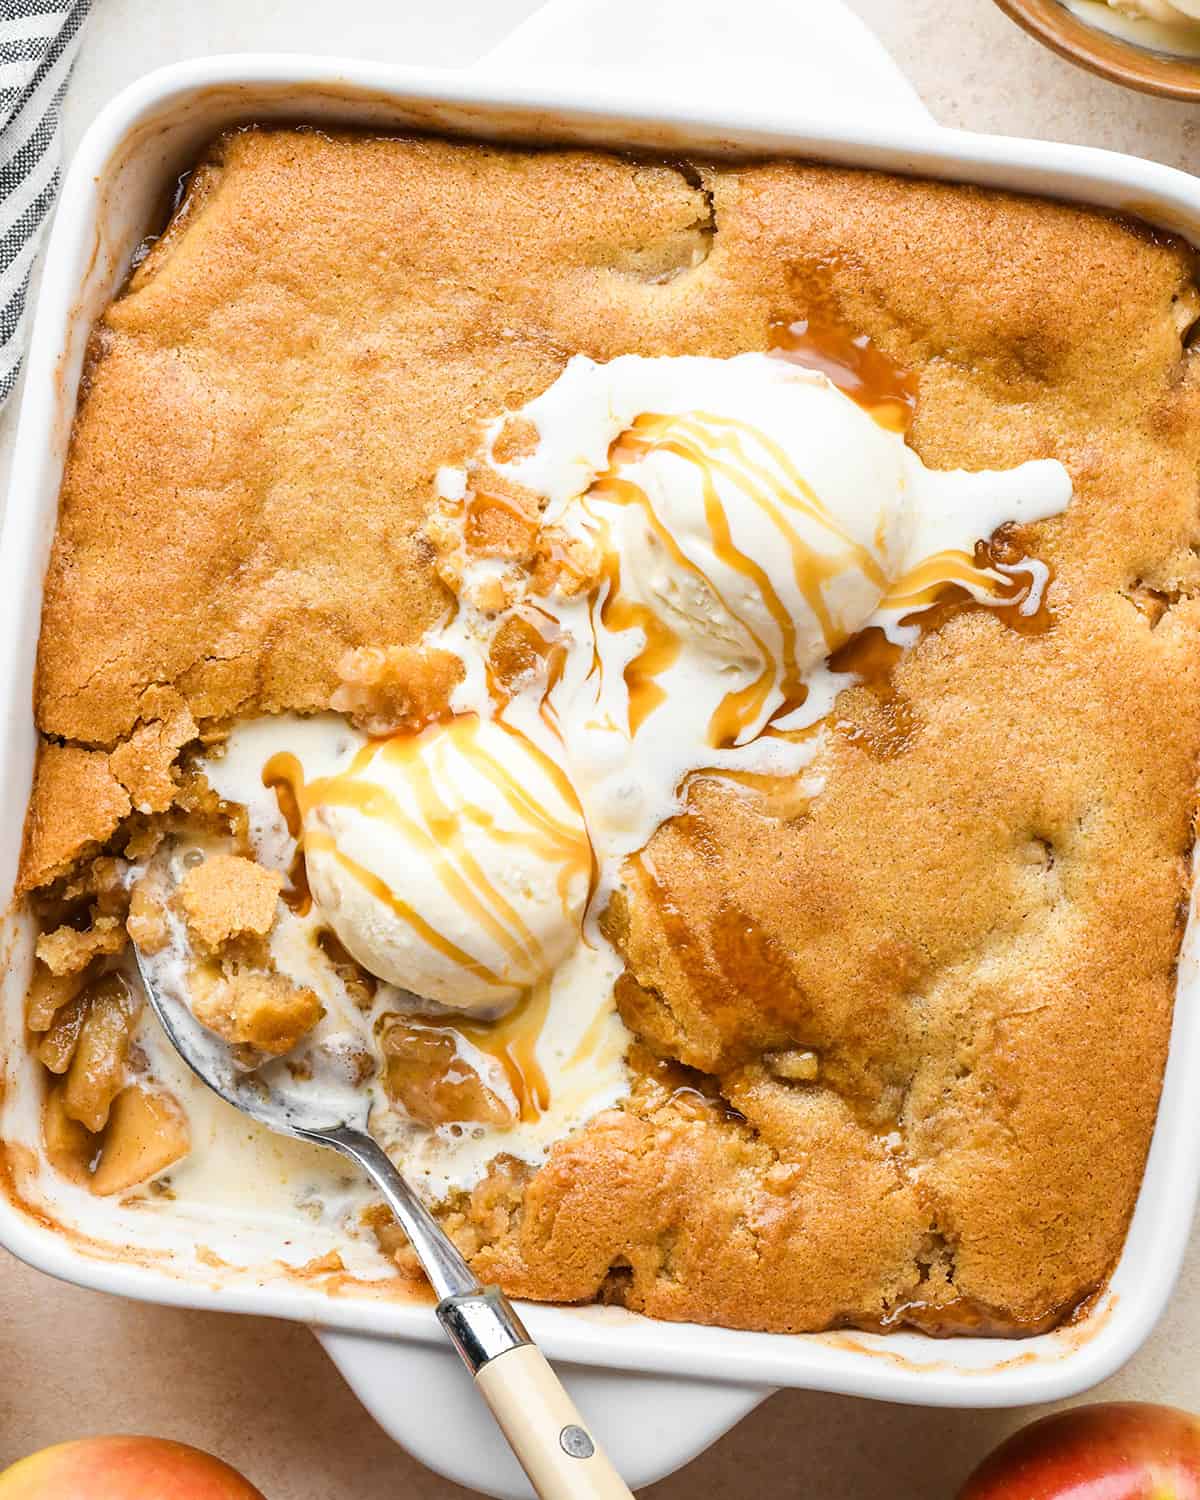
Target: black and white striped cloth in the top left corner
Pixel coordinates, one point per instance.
(38, 44)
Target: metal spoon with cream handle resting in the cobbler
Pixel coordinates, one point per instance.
(536, 1415)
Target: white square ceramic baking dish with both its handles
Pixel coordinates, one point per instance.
(839, 101)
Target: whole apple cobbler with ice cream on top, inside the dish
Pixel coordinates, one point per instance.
(677, 679)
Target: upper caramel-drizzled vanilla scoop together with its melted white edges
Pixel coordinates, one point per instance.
(754, 518)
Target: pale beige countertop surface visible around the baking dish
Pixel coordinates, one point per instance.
(263, 1394)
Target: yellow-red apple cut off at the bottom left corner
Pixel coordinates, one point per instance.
(124, 1469)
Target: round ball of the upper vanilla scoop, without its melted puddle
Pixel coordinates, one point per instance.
(776, 512)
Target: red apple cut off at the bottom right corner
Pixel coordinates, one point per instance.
(1112, 1451)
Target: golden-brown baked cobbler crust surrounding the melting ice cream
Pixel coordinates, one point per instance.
(973, 929)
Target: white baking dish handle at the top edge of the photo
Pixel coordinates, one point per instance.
(817, 61)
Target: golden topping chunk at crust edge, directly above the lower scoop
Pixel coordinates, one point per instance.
(389, 689)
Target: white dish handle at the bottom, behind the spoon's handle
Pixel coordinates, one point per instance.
(424, 1399)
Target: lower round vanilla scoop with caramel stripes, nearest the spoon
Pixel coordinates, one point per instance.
(454, 863)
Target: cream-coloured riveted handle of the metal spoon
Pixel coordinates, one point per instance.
(545, 1430)
